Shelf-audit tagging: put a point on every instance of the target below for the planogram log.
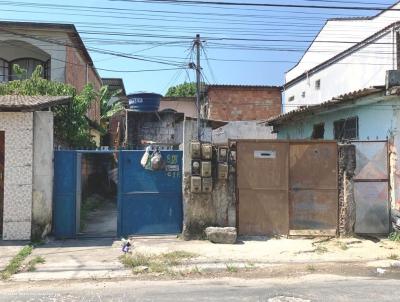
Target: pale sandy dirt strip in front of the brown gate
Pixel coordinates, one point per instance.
(275, 250)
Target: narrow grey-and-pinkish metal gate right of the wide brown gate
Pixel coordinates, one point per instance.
(371, 187)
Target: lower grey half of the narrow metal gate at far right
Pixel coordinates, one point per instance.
(372, 207)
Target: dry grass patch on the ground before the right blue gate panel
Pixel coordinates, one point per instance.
(155, 263)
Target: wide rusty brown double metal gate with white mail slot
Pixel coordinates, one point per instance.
(287, 187)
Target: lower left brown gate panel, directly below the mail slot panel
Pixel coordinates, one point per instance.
(263, 212)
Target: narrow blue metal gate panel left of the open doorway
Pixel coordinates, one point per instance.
(64, 207)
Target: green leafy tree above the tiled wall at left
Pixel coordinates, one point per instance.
(70, 123)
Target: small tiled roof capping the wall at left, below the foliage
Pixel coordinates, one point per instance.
(30, 103)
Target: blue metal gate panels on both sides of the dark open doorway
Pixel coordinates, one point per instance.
(149, 202)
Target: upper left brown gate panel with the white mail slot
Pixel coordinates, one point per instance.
(262, 165)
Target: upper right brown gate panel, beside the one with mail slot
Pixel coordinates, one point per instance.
(313, 165)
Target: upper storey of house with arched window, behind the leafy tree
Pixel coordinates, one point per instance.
(58, 48)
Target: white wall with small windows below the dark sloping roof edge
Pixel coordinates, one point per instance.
(362, 69)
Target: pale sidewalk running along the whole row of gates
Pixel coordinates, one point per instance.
(99, 258)
